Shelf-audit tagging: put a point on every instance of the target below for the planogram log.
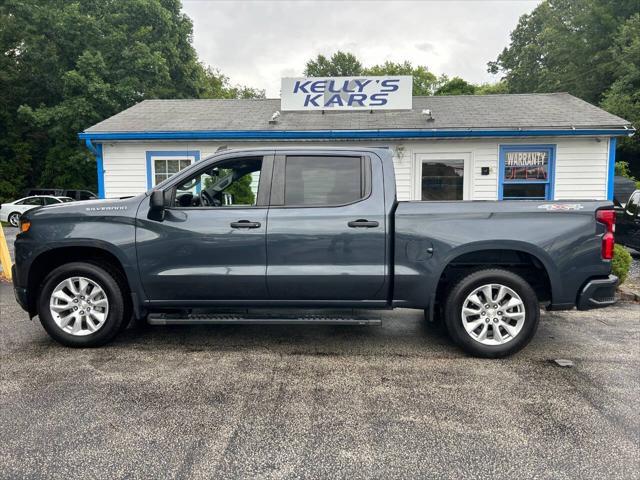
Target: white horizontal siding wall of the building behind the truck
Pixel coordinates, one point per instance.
(580, 168)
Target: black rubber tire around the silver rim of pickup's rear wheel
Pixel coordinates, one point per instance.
(465, 287)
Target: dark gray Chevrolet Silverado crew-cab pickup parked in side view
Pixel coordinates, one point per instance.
(311, 236)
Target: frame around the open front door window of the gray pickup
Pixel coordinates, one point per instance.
(261, 195)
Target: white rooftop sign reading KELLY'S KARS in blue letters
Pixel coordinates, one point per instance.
(347, 93)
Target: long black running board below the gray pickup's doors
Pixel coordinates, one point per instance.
(264, 318)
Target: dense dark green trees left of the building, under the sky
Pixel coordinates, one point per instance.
(68, 65)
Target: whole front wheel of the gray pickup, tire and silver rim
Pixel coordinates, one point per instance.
(81, 305)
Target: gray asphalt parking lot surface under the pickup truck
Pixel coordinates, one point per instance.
(397, 401)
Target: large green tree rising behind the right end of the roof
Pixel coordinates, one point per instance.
(564, 45)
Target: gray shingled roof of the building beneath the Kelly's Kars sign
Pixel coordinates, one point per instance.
(465, 112)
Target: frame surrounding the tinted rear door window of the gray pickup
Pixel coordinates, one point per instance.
(277, 199)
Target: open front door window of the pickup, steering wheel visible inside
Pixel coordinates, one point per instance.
(233, 183)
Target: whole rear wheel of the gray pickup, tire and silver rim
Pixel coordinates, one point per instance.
(492, 313)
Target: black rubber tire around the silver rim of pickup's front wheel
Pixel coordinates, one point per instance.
(108, 280)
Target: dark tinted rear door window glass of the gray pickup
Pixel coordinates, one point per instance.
(323, 180)
